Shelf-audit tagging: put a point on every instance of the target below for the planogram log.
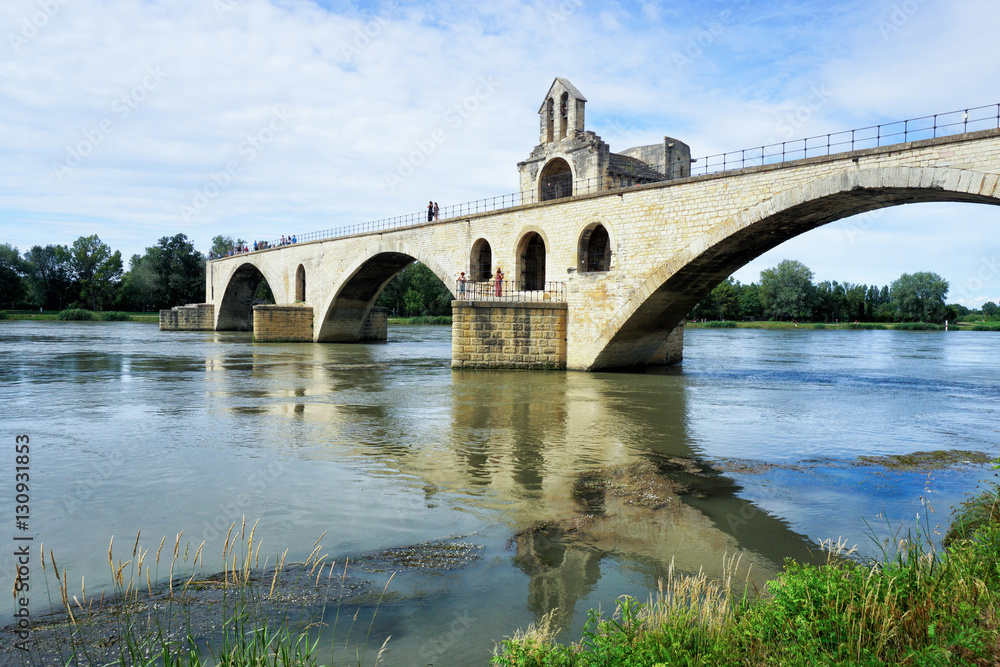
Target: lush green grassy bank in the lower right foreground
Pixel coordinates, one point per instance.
(916, 605)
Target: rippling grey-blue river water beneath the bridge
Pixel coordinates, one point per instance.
(382, 446)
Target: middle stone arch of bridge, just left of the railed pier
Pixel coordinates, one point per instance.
(343, 313)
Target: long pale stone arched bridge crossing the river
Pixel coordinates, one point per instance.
(633, 260)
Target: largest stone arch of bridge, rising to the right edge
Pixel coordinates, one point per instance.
(638, 329)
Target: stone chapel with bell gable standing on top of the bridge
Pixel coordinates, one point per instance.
(570, 160)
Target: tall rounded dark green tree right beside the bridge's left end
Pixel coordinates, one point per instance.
(180, 271)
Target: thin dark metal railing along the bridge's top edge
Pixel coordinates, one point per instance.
(874, 136)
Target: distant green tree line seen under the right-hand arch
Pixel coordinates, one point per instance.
(787, 292)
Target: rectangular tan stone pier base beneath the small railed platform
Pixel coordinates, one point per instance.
(491, 334)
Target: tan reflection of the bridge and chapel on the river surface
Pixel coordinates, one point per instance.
(577, 468)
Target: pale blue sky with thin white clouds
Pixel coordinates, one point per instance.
(138, 119)
